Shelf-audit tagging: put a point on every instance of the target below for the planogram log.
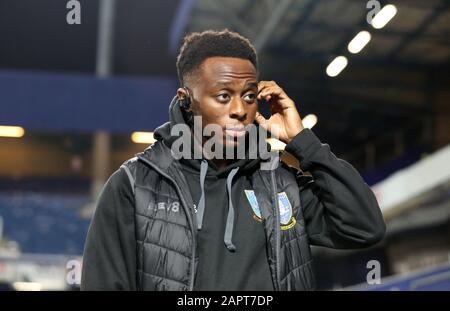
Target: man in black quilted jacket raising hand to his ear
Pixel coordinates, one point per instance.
(165, 222)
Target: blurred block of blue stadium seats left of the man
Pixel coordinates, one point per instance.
(45, 223)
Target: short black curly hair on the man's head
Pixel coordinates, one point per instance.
(198, 46)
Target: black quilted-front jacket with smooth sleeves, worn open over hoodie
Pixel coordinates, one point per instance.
(133, 245)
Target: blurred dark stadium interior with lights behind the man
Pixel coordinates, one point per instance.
(73, 96)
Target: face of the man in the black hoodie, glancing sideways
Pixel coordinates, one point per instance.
(225, 94)
